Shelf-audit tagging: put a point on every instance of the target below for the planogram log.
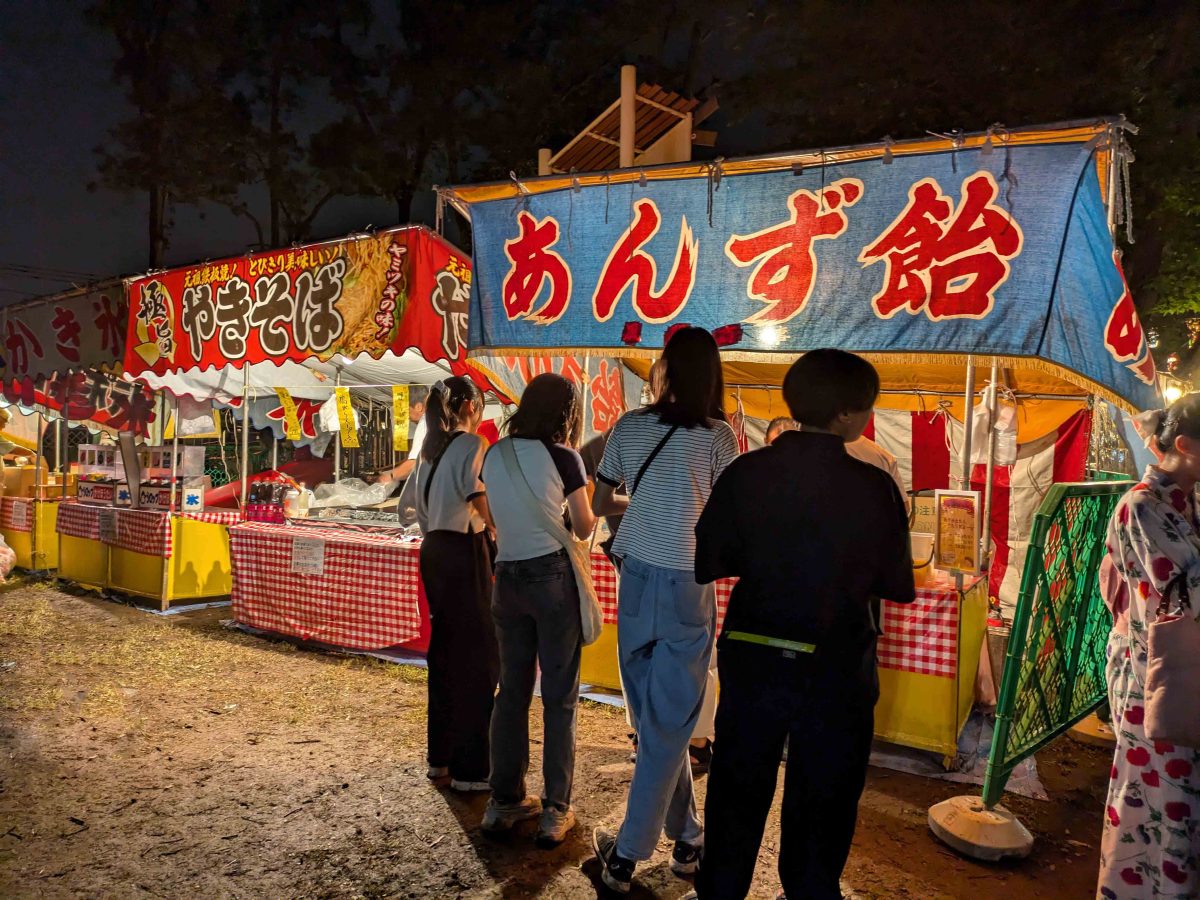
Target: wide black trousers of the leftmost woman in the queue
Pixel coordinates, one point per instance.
(463, 658)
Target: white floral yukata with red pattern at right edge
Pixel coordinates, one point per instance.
(1151, 843)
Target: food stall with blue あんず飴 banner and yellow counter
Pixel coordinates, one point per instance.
(949, 263)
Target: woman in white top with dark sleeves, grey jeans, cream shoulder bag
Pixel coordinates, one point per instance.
(532, 476)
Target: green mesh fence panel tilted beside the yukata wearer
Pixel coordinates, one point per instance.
(1054, 673)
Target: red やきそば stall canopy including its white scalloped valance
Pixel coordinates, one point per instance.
(374, 309)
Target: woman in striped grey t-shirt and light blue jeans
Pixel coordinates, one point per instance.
(669, 458)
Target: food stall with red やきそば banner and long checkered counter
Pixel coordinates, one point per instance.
(320, 344)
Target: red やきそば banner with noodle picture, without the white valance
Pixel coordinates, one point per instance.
(399, 290)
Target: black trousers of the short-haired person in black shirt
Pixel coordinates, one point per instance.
(827, 717)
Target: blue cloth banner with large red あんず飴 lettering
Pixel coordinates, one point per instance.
(1006, 254)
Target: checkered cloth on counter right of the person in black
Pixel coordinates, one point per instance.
(923, 638)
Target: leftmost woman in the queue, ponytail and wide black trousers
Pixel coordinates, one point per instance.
(457, 569)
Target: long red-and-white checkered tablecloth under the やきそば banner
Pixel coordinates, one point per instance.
(365, 598)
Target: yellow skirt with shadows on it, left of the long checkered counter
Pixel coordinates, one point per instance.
(200, 567)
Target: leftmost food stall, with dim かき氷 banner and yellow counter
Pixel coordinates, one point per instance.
(59, 363)
